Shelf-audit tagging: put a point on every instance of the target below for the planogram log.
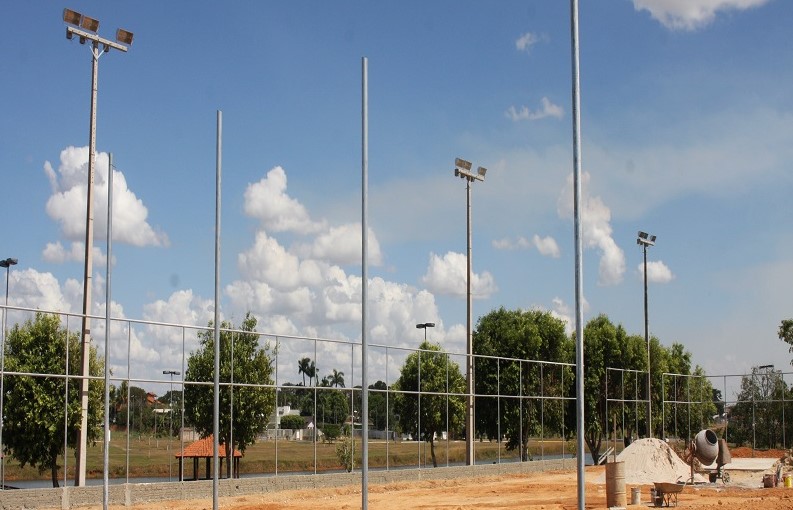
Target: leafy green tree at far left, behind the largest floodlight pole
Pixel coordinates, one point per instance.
(36, 415)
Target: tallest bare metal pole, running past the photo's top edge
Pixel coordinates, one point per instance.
(579, 255)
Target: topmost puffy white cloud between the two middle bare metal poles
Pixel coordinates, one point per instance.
(268, 202)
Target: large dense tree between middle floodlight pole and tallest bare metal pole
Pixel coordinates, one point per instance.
(520, 335)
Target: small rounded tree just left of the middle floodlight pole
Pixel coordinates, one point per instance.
(430, 372)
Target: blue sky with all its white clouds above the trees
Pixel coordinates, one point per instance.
(686, 124)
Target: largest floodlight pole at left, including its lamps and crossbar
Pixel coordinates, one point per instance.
(85, 29)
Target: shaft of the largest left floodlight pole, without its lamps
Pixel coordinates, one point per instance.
(79, 471)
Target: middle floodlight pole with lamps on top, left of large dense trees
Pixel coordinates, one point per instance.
(462, 169)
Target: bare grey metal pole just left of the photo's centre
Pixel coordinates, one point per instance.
(364, 284)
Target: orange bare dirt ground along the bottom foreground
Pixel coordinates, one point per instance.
(553, 490)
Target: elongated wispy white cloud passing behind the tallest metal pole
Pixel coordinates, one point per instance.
(596, 229)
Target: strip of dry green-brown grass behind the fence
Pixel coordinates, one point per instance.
(154, 457)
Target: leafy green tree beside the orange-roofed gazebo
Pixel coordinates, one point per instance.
(254, 398)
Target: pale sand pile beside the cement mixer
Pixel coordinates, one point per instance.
(652, 460)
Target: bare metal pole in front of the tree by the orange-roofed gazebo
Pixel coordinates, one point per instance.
(216, 410)
